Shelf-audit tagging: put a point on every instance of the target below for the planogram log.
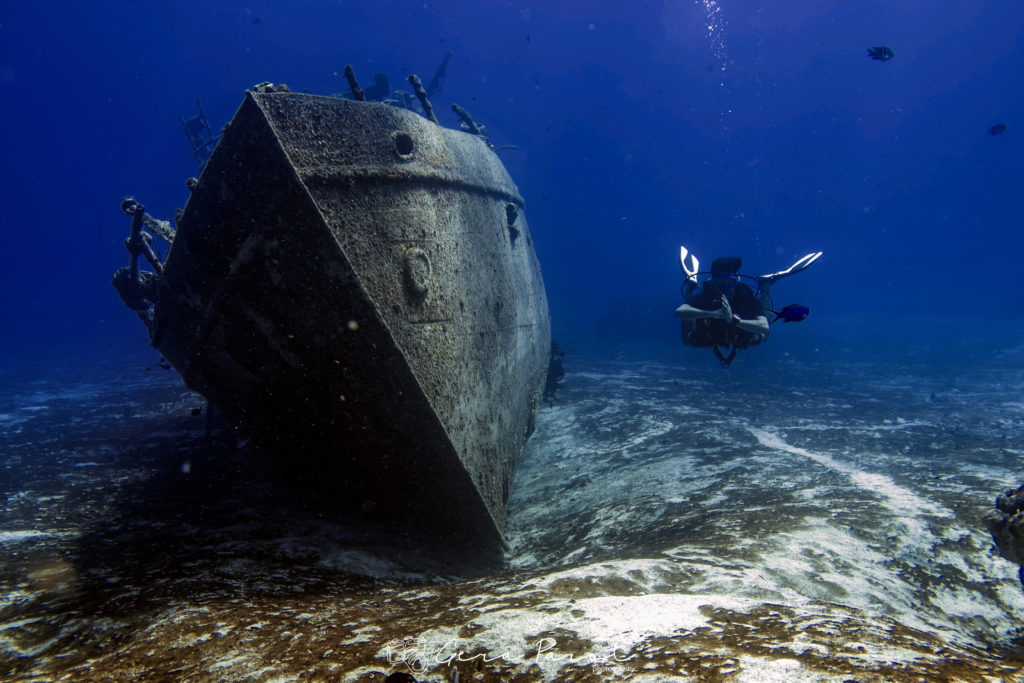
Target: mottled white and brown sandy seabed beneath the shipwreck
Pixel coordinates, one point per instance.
(661, 527)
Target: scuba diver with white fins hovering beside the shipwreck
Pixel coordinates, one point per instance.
(726, 313)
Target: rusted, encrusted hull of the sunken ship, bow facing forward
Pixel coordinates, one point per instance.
(358, 288)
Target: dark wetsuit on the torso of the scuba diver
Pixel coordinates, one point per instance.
(713, 332)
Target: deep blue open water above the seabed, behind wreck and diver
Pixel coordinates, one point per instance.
(752, 129)
